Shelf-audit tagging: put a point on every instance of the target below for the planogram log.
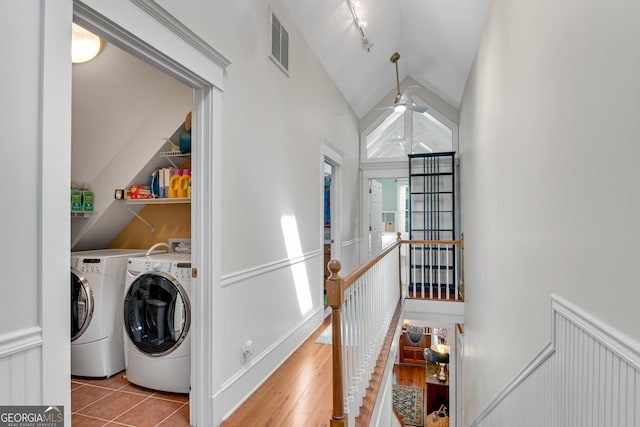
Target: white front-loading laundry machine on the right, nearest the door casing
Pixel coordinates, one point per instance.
(157, 320)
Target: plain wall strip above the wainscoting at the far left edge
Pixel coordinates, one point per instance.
(20, 109)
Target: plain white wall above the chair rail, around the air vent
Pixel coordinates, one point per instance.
(273, 127)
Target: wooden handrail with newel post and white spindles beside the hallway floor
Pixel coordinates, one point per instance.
(363, 322)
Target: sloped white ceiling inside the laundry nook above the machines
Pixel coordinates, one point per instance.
(122, 109)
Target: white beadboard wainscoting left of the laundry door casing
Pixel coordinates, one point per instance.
(21, 367)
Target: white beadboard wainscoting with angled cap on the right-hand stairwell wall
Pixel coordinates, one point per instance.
(589, 376)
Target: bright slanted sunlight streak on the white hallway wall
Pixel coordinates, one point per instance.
(294, 252)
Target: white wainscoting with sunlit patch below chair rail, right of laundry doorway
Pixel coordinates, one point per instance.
(275, 306)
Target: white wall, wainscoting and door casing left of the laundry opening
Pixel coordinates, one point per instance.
(35, 114)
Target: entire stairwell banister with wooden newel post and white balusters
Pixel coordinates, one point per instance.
(362, 306)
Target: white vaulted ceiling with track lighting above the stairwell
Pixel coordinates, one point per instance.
(436, 39)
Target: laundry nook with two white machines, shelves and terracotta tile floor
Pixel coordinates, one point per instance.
(131, 248)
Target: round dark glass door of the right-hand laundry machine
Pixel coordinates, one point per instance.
(157, 315)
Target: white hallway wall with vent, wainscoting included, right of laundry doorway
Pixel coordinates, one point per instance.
(273, 129)
